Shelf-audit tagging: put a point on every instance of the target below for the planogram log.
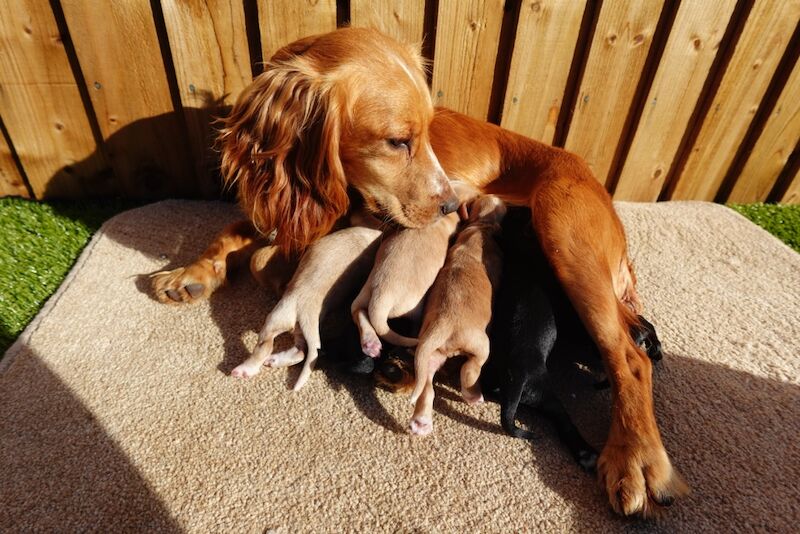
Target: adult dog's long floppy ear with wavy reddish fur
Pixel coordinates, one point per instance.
(280, 147)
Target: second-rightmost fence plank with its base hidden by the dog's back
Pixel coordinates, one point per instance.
(547, 35)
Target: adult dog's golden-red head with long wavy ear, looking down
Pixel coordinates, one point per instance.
(347, 108)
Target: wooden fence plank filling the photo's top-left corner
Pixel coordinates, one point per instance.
(40, 102)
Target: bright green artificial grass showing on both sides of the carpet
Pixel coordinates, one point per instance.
(40, 242)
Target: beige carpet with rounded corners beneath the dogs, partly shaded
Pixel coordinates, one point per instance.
(117, 413)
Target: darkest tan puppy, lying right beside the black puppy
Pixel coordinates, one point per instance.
(459, 309)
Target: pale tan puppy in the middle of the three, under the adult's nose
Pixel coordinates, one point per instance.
(406, 265)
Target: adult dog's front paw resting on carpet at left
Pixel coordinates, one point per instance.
(187, 284)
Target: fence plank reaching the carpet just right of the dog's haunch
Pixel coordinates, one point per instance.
(682, 72)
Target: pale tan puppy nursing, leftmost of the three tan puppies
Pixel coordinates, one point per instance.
(329, 272)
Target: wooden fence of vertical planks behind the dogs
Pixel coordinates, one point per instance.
(665, 99)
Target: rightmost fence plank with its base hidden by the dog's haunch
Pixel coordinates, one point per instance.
(618, 52)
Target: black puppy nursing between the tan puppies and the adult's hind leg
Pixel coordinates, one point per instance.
(533, 321)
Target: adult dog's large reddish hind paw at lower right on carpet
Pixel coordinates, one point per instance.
(639, 480)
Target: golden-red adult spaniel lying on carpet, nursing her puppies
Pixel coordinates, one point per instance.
(350, 111)
